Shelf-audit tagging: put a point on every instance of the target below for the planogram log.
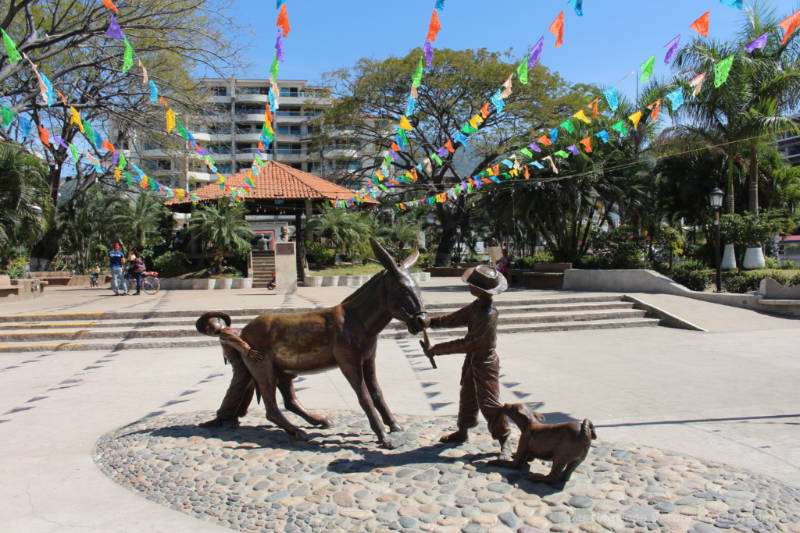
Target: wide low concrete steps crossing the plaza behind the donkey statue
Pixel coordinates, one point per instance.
(166, 329)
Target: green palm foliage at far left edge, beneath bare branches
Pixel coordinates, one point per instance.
(26, 210)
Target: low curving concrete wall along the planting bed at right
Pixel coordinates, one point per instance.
(640, 280)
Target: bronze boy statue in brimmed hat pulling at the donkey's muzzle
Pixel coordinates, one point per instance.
(480, 385)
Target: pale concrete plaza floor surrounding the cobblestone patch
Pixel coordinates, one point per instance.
(729, 395)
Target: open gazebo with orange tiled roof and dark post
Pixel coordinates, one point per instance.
(279, 190)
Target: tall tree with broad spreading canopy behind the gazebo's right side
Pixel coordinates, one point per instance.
(373, 95)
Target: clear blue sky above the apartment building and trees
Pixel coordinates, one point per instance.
(611, 39)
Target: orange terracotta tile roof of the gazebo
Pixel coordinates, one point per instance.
(276, 181)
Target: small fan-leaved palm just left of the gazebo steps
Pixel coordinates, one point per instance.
(222, 230)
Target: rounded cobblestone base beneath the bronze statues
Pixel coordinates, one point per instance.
(256, 478)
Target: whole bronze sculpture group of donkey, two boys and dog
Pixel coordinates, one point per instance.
(269, 352)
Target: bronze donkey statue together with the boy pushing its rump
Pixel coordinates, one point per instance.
(273, 348)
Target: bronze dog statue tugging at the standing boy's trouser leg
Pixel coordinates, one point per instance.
(565, 444)
